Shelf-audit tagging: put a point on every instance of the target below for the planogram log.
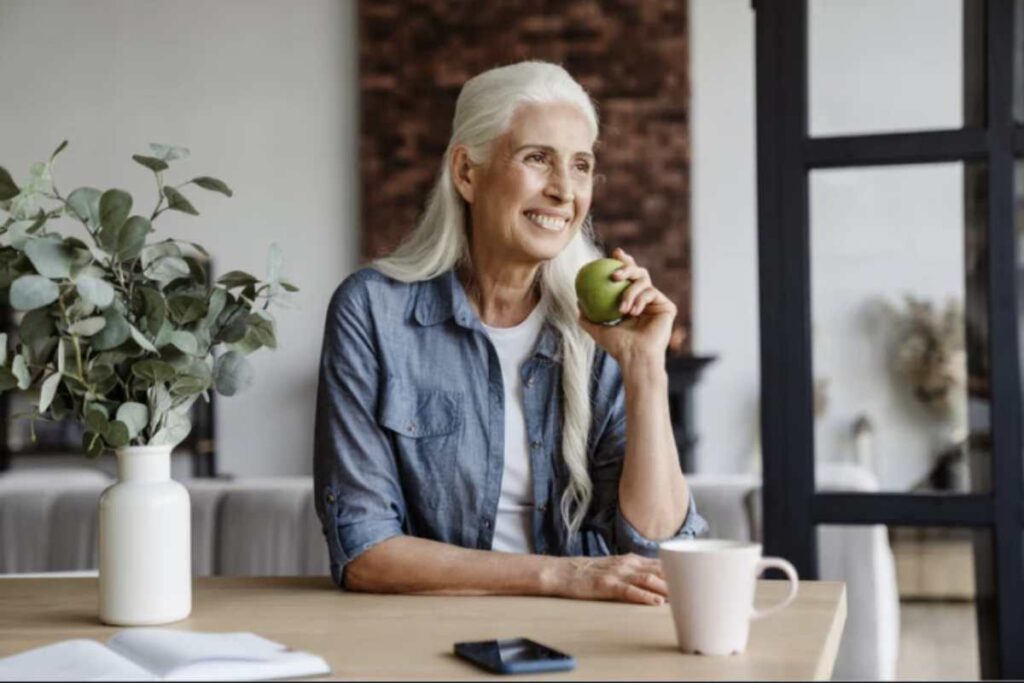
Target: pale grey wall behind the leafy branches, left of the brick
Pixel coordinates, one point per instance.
(264, 93)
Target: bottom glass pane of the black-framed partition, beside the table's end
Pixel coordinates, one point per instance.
(912, 597)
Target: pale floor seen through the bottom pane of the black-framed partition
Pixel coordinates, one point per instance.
(938, 643)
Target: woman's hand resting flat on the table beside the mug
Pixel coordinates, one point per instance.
(624, 578)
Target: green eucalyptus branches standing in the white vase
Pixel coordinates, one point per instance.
(120, 331)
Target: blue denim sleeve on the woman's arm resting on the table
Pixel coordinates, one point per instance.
(357, 487)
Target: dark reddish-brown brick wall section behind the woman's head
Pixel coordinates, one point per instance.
(631, 57)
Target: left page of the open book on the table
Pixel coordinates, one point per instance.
(72, 661)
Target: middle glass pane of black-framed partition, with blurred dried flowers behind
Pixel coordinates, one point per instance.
(899, 326)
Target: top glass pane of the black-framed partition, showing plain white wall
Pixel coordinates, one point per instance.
(884, 66)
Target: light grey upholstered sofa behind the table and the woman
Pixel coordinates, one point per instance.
(269, 528)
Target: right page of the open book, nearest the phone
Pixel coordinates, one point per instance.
(175, 655)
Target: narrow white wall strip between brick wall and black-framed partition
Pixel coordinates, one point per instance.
(724, 220)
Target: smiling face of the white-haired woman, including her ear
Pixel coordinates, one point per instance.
(532, 197)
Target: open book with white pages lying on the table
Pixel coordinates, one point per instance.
(154, 655)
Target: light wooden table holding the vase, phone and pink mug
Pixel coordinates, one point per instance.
(410, 637)
